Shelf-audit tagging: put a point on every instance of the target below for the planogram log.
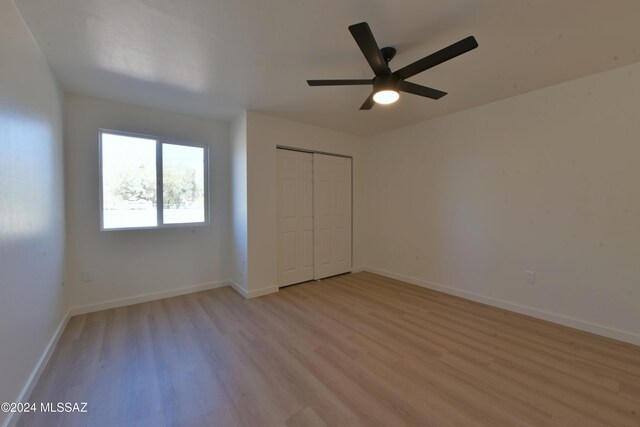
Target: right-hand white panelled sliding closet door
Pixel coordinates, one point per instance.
(332, 215)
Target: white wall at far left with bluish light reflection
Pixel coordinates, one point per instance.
(32, 300)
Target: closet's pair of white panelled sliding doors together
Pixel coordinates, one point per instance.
(314, 216)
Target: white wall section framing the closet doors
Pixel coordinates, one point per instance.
(264, 133)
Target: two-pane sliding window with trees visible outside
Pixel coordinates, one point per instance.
(149, 182)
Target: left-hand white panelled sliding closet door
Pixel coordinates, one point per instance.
(295, 217)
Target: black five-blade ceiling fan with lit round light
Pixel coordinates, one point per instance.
(387, 85)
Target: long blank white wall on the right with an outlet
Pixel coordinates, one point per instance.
(548, 181)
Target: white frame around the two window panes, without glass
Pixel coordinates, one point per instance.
(159, 186)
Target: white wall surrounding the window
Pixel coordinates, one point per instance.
(127, 264)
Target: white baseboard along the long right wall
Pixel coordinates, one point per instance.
(571, 322)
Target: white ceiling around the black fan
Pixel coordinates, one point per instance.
(215, 58)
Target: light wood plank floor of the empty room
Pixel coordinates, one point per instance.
(357, 349)
